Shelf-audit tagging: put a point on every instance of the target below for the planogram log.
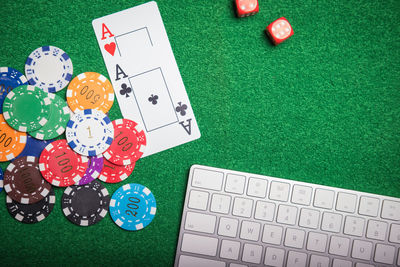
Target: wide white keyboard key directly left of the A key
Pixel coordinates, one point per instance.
(199, 244)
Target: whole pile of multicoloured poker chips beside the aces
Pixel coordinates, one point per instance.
(71, 144)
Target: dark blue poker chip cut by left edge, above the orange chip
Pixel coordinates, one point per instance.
(9, 79)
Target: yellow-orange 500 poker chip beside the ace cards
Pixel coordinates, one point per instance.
(90, 90)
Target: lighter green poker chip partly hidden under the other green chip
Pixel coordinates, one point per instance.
(58, 119)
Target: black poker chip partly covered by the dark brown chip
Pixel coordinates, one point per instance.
(31, 213)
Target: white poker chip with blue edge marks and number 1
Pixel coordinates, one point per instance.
(89, 132)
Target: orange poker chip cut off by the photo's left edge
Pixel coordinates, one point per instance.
(12, 142)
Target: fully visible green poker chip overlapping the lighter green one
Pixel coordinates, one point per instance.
(26, 108)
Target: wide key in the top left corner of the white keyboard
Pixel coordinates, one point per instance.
(207, 179)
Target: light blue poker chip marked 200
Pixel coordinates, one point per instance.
(133, 207)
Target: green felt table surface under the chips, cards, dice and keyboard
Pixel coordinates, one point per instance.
(323, 107)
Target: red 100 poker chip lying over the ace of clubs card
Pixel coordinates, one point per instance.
(129, 143)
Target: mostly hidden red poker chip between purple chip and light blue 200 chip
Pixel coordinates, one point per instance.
(112, 173)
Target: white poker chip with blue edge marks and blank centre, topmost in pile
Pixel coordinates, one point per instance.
(49, 68)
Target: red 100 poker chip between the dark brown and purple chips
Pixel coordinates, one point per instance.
(60, 165)
